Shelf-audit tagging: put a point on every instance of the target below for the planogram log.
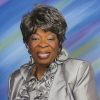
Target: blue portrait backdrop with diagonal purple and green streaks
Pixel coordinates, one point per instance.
(82, 37)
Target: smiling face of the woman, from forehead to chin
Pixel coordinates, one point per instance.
(43, 46)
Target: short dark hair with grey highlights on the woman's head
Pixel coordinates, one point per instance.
(45, 17)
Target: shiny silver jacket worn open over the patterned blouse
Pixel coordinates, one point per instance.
(74, 80)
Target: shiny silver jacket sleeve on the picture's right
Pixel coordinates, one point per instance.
(85, 88)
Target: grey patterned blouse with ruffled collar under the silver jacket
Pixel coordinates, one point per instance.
(32, 89)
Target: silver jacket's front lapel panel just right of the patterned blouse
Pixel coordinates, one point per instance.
(60, 89)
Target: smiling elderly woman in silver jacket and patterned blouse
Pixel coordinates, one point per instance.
(50, 75)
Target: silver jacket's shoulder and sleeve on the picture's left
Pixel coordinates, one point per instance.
(15, 80)
